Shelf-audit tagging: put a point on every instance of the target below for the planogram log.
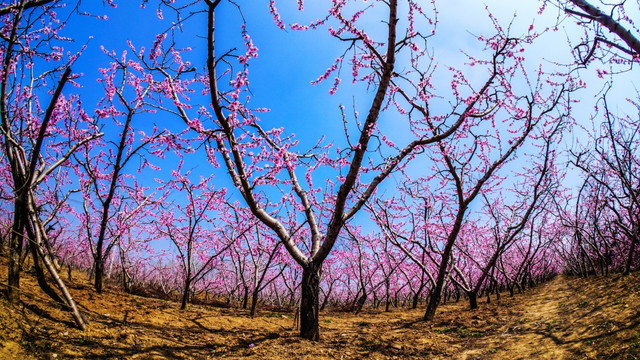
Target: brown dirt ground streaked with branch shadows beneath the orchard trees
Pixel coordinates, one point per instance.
(567, 318)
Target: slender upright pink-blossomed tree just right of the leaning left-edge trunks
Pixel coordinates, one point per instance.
(111, 196)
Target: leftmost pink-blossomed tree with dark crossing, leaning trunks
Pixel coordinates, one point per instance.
(37, 139)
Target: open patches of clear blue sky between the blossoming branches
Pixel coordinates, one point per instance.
(289, 61)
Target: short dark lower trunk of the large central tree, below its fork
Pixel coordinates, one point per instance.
(310, 302)
